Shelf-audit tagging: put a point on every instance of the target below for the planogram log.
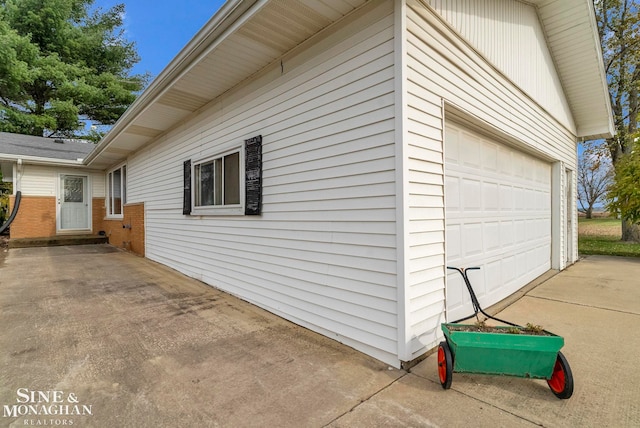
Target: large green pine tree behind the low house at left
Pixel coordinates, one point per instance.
(62, 61)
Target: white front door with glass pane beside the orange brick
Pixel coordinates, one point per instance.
(73, 203)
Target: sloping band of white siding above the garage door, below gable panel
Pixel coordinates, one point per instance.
(450, 69)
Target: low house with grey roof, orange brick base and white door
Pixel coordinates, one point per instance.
(57, 187)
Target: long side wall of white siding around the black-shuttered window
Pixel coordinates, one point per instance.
(322, 254)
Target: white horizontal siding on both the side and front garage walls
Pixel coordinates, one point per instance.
(323, 253)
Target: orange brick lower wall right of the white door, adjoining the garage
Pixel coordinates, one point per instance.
(131, 237)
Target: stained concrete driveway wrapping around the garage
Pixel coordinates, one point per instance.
(95, 337)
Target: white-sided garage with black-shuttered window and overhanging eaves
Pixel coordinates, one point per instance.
(327, 159)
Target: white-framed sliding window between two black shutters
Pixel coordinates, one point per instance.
(217, 181)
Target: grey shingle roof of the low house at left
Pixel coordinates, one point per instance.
(28, 145)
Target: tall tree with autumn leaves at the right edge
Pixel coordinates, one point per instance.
(619, 29)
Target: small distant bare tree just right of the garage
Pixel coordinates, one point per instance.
(594, 177)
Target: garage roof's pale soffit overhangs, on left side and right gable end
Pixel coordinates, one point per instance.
(245, 36)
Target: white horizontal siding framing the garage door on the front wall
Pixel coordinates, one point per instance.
(443, 69)
